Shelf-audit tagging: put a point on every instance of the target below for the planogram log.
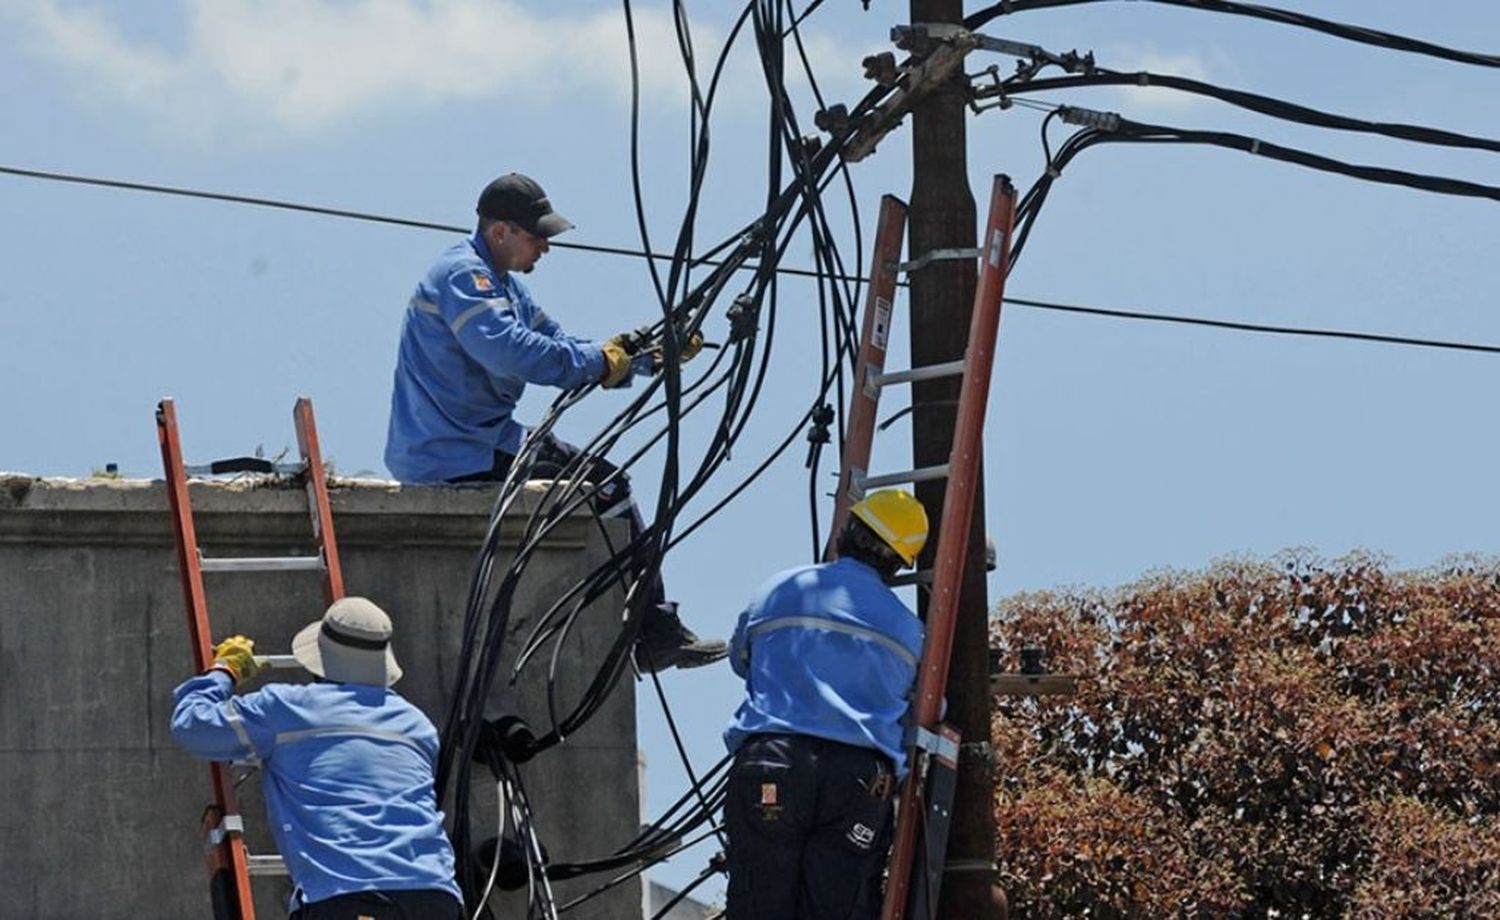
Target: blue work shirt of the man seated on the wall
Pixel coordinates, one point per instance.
(472, 341)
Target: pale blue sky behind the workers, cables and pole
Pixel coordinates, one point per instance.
(1114, 448)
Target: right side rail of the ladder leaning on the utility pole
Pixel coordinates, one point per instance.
(922, 813)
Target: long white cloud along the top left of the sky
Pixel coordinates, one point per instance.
(302, 65)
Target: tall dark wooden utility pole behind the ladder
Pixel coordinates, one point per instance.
(943, 218)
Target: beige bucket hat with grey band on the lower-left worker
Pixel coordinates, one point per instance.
(350, 645)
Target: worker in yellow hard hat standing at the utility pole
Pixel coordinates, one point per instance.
(829, 655)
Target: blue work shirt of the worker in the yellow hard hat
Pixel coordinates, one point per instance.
(829, 652)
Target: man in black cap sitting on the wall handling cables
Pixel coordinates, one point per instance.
(472, 341)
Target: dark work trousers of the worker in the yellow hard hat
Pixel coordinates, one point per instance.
(809, 823)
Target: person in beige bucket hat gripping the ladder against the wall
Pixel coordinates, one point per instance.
(349, 769)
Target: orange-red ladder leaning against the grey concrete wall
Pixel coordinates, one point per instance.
(230, 867)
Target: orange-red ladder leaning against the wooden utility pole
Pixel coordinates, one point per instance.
(926, 804)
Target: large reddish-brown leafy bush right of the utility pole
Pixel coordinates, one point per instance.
(1286, 739)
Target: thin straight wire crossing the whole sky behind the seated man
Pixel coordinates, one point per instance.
(1045, 305)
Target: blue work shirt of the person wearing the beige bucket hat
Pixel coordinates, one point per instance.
(349, 780)
